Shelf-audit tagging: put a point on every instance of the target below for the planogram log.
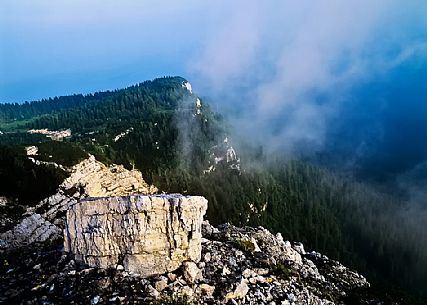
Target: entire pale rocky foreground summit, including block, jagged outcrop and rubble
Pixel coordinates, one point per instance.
(120, 248)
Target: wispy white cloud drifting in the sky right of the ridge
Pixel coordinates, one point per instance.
(282, 56)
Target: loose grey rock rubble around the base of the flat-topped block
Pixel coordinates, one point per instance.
(237, 266)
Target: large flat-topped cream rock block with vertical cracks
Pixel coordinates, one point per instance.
(146, 234)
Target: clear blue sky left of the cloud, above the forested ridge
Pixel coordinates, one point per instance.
(53, 48)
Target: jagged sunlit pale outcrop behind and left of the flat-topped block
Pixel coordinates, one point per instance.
(89, 178)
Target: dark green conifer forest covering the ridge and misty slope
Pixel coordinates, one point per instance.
(170, 144)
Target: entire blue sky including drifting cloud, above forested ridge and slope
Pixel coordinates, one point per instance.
(298, 75)
